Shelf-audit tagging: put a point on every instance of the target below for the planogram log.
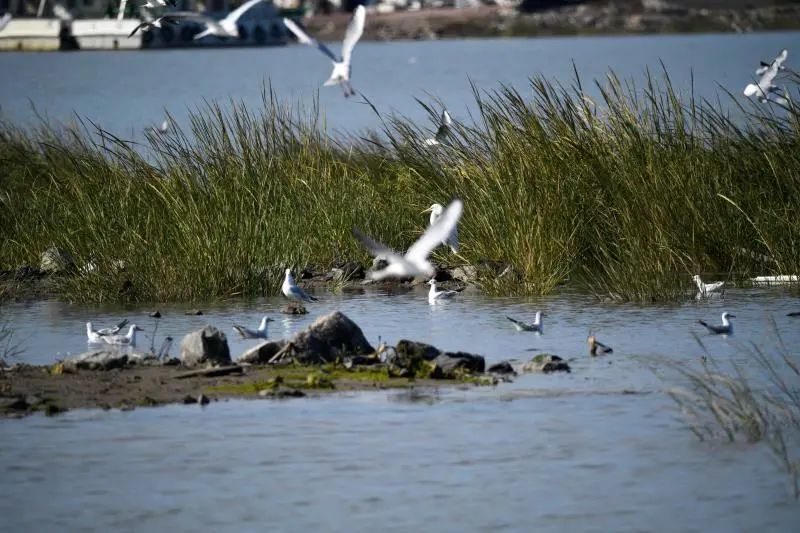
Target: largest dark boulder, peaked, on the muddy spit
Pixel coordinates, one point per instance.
(328, 338)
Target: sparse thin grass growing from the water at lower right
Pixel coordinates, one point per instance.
(725, 400)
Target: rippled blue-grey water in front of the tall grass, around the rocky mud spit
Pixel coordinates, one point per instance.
(602, 448)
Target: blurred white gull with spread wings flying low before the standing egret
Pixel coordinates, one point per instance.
(415, 261)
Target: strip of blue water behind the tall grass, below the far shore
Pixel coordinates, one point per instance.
(124, 92)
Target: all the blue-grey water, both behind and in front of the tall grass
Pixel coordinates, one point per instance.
(602, 448)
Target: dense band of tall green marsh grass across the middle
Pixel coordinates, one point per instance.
(628, 196)
